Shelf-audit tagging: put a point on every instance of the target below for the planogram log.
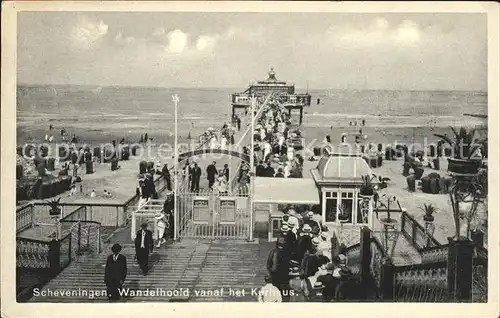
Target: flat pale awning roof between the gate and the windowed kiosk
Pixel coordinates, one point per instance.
(286, 191)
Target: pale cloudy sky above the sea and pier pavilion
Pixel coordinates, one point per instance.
(330, 50)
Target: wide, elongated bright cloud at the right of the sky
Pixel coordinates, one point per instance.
(377, 33)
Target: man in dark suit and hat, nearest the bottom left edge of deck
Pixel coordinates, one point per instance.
(115, 272)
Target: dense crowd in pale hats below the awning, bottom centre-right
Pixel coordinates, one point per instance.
(305, 267)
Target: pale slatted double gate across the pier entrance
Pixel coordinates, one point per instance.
(211, 215)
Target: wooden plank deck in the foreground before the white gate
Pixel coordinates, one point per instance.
(198, 266)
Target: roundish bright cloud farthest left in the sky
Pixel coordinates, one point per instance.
(87, 33)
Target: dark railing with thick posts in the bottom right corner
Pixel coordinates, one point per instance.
(450, 273)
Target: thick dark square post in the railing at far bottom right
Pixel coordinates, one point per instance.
(460, 265)
